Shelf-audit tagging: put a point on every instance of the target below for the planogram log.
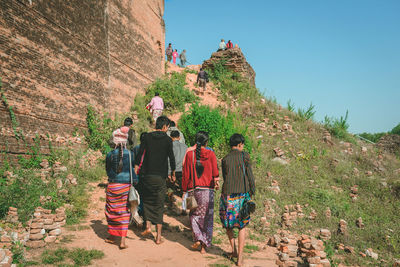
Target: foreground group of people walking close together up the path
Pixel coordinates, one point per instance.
(163, 155)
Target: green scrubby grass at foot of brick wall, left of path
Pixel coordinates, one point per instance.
(23, 191)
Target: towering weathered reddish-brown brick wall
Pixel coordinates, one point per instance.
(58, 56)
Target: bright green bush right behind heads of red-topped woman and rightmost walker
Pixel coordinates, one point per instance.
(218, 126)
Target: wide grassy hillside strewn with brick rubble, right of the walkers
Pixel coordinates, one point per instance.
(304, 148)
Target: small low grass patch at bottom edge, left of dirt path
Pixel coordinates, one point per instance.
(79, 256)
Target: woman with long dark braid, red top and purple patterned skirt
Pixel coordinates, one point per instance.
(200, 177)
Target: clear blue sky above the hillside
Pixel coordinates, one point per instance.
(338, 54)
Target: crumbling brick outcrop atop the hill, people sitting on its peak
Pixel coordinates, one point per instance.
(235, 61)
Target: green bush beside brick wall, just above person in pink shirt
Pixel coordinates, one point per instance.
(171, 88)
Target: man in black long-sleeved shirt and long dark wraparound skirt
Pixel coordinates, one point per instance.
(156, 148)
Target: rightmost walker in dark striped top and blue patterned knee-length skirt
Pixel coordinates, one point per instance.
(238, 187)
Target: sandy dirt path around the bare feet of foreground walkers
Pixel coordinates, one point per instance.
(144, 252)
